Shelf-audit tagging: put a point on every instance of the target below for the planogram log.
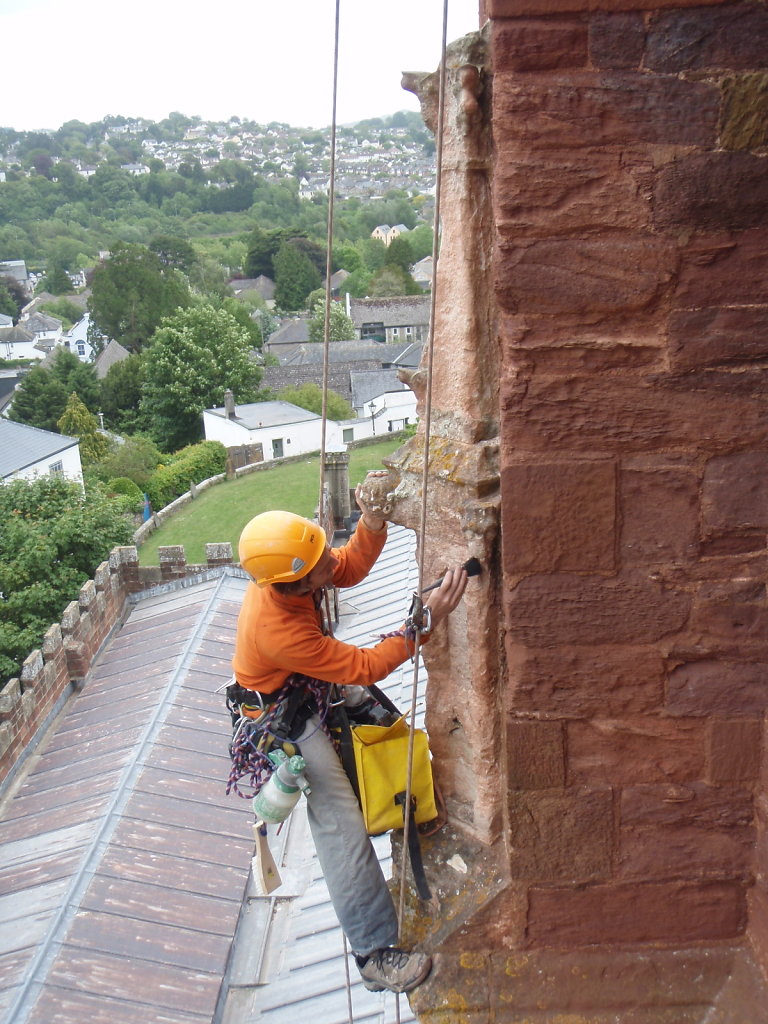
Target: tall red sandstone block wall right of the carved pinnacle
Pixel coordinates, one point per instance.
(631, 205)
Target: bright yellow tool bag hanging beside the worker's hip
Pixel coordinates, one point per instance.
(381, 764)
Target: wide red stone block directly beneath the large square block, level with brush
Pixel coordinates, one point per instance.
(563, 609)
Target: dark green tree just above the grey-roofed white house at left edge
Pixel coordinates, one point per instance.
(41, 397)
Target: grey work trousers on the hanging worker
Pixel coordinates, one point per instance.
(355, 879)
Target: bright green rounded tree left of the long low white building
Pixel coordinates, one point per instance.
(194, 358)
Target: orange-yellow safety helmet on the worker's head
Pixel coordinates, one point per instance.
(280, 547)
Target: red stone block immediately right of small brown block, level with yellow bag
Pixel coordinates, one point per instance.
(641, 750)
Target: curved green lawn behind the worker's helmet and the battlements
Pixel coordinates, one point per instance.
(221, 513)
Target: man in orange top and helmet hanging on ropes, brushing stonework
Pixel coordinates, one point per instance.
(284, 656)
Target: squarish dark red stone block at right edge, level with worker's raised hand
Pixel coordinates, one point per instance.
(735, 495)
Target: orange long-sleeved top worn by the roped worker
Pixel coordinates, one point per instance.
(280, 634)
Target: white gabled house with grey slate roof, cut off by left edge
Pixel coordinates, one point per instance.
(28, 452)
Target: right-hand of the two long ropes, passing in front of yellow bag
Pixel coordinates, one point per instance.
(428, 432)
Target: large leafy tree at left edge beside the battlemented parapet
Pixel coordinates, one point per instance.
(53, 539)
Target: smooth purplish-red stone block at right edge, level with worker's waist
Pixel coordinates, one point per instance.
(712, 687)
